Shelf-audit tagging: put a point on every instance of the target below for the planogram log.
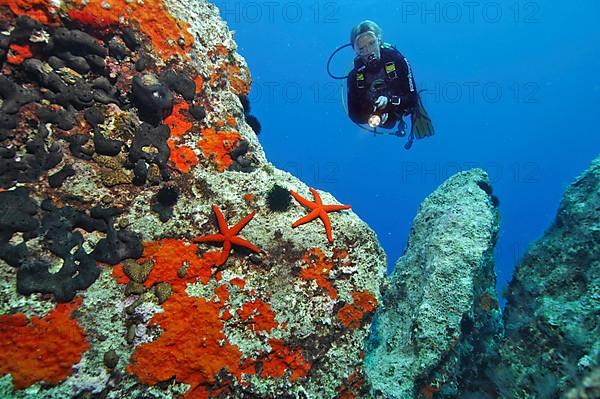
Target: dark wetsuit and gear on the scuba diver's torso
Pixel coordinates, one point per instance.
(363, 93)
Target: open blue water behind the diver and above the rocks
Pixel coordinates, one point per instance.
(513, 88)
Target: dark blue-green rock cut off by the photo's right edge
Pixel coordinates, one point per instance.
(551, 316)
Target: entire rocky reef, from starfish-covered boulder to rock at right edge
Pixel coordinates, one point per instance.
(149, 249)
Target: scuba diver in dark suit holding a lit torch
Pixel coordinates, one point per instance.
(381, 87)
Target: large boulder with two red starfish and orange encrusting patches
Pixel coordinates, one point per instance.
(147, 246)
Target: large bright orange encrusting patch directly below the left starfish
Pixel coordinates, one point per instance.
(192, 346)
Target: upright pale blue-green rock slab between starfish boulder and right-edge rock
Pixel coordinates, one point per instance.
(440, 319)
